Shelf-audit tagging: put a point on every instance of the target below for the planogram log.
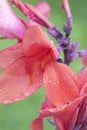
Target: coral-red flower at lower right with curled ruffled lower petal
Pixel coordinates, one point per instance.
(64, 92)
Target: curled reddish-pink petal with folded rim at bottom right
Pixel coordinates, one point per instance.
(64, 116)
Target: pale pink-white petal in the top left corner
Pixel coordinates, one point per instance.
(10, 25)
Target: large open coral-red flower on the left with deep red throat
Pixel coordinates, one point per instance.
(23, 65)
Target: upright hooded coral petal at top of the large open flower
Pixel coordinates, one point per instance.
(36, 41)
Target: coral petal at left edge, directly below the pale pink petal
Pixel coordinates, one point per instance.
(10, 55)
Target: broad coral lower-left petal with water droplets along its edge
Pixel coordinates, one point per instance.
(15, 82)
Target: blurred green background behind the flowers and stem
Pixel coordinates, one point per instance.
(17, 116)
